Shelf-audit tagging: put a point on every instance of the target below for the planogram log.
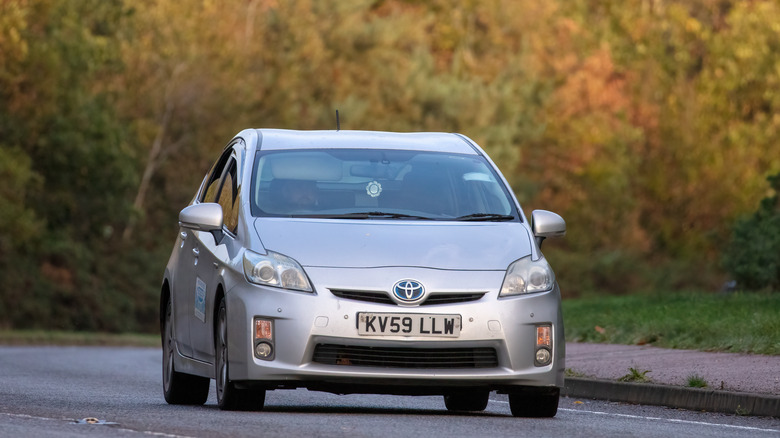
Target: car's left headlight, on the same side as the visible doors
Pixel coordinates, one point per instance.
(275, 270)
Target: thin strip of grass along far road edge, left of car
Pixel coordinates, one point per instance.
(40, 337)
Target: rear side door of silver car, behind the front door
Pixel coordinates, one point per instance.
(186, 283)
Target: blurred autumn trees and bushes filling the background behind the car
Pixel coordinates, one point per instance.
(650, 126)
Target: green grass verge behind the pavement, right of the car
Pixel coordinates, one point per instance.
(738, 322)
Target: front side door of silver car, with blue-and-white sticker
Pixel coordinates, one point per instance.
(215, 256)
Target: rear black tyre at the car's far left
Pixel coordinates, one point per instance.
(179, 388)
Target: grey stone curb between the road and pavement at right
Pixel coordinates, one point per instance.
(764, 405)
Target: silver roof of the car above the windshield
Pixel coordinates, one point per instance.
(284, 139)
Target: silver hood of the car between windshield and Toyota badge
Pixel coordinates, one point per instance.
(380, 243)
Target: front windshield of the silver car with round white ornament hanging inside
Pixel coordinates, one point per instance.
(378, 184)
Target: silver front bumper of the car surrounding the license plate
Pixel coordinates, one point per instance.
(305, 323)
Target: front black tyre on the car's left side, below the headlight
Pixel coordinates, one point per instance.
(230, 398)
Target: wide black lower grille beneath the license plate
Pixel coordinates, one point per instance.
(350, 355)
